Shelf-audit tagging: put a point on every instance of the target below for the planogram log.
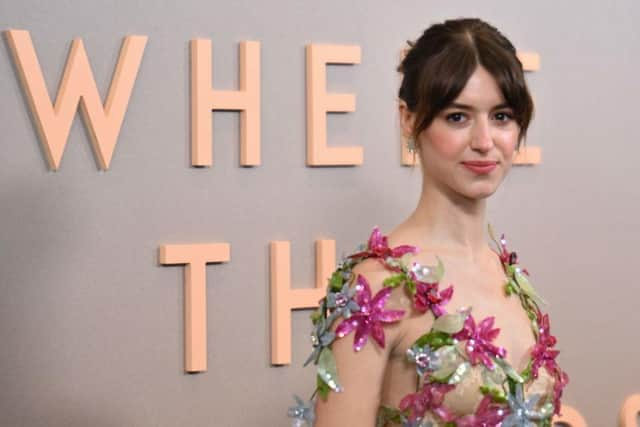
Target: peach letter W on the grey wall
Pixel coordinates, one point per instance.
(78, 84)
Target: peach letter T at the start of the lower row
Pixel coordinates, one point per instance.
(195, 256)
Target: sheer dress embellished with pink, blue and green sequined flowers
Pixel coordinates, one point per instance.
(464, 379)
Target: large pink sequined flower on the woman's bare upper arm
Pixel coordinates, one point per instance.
(369, 320)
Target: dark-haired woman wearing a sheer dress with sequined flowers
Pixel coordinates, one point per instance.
(430, 325)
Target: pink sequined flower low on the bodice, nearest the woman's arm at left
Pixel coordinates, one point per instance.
(429, 398)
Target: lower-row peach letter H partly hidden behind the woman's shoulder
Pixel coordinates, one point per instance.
(284, 299)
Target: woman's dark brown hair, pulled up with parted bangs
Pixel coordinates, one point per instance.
(437, 66)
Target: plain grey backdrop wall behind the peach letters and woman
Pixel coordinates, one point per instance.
(91, 326)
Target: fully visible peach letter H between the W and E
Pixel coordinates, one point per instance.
(204, 99)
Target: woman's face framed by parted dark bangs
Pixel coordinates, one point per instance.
(477, 126)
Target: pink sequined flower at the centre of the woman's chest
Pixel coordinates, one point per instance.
(478, 345)
